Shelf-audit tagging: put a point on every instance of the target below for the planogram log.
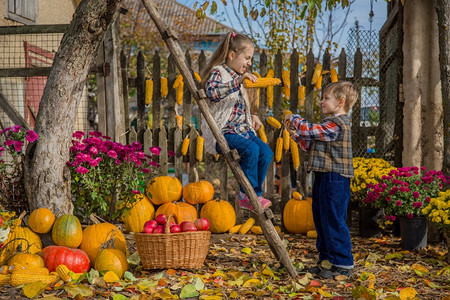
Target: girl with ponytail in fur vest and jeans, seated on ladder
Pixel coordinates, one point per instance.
(230, 107)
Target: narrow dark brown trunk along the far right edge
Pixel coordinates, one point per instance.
(443, 15)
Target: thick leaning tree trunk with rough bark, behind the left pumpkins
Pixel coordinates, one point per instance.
(47, 181)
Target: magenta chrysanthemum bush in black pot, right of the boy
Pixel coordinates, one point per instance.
(403, 193)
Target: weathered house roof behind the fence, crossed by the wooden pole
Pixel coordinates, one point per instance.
(179, 17)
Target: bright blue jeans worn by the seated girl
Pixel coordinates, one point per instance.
(256, 157)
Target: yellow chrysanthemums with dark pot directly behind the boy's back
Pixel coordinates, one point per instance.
(367, 172)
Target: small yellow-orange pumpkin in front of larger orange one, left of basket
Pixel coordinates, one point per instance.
(111, 260)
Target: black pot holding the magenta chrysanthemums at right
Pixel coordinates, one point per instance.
(413, 232)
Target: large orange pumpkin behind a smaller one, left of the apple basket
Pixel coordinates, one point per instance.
(94, 236)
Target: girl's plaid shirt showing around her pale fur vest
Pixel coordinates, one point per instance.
(217, 90)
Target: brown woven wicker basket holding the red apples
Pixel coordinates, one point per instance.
(184, 250)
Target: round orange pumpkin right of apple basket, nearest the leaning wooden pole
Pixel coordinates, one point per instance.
(221, 215)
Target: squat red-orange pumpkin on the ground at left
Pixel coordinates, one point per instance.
(75, 259)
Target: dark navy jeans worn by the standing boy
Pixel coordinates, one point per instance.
(331, 194)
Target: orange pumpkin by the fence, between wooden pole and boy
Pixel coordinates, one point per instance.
(297, 215)
